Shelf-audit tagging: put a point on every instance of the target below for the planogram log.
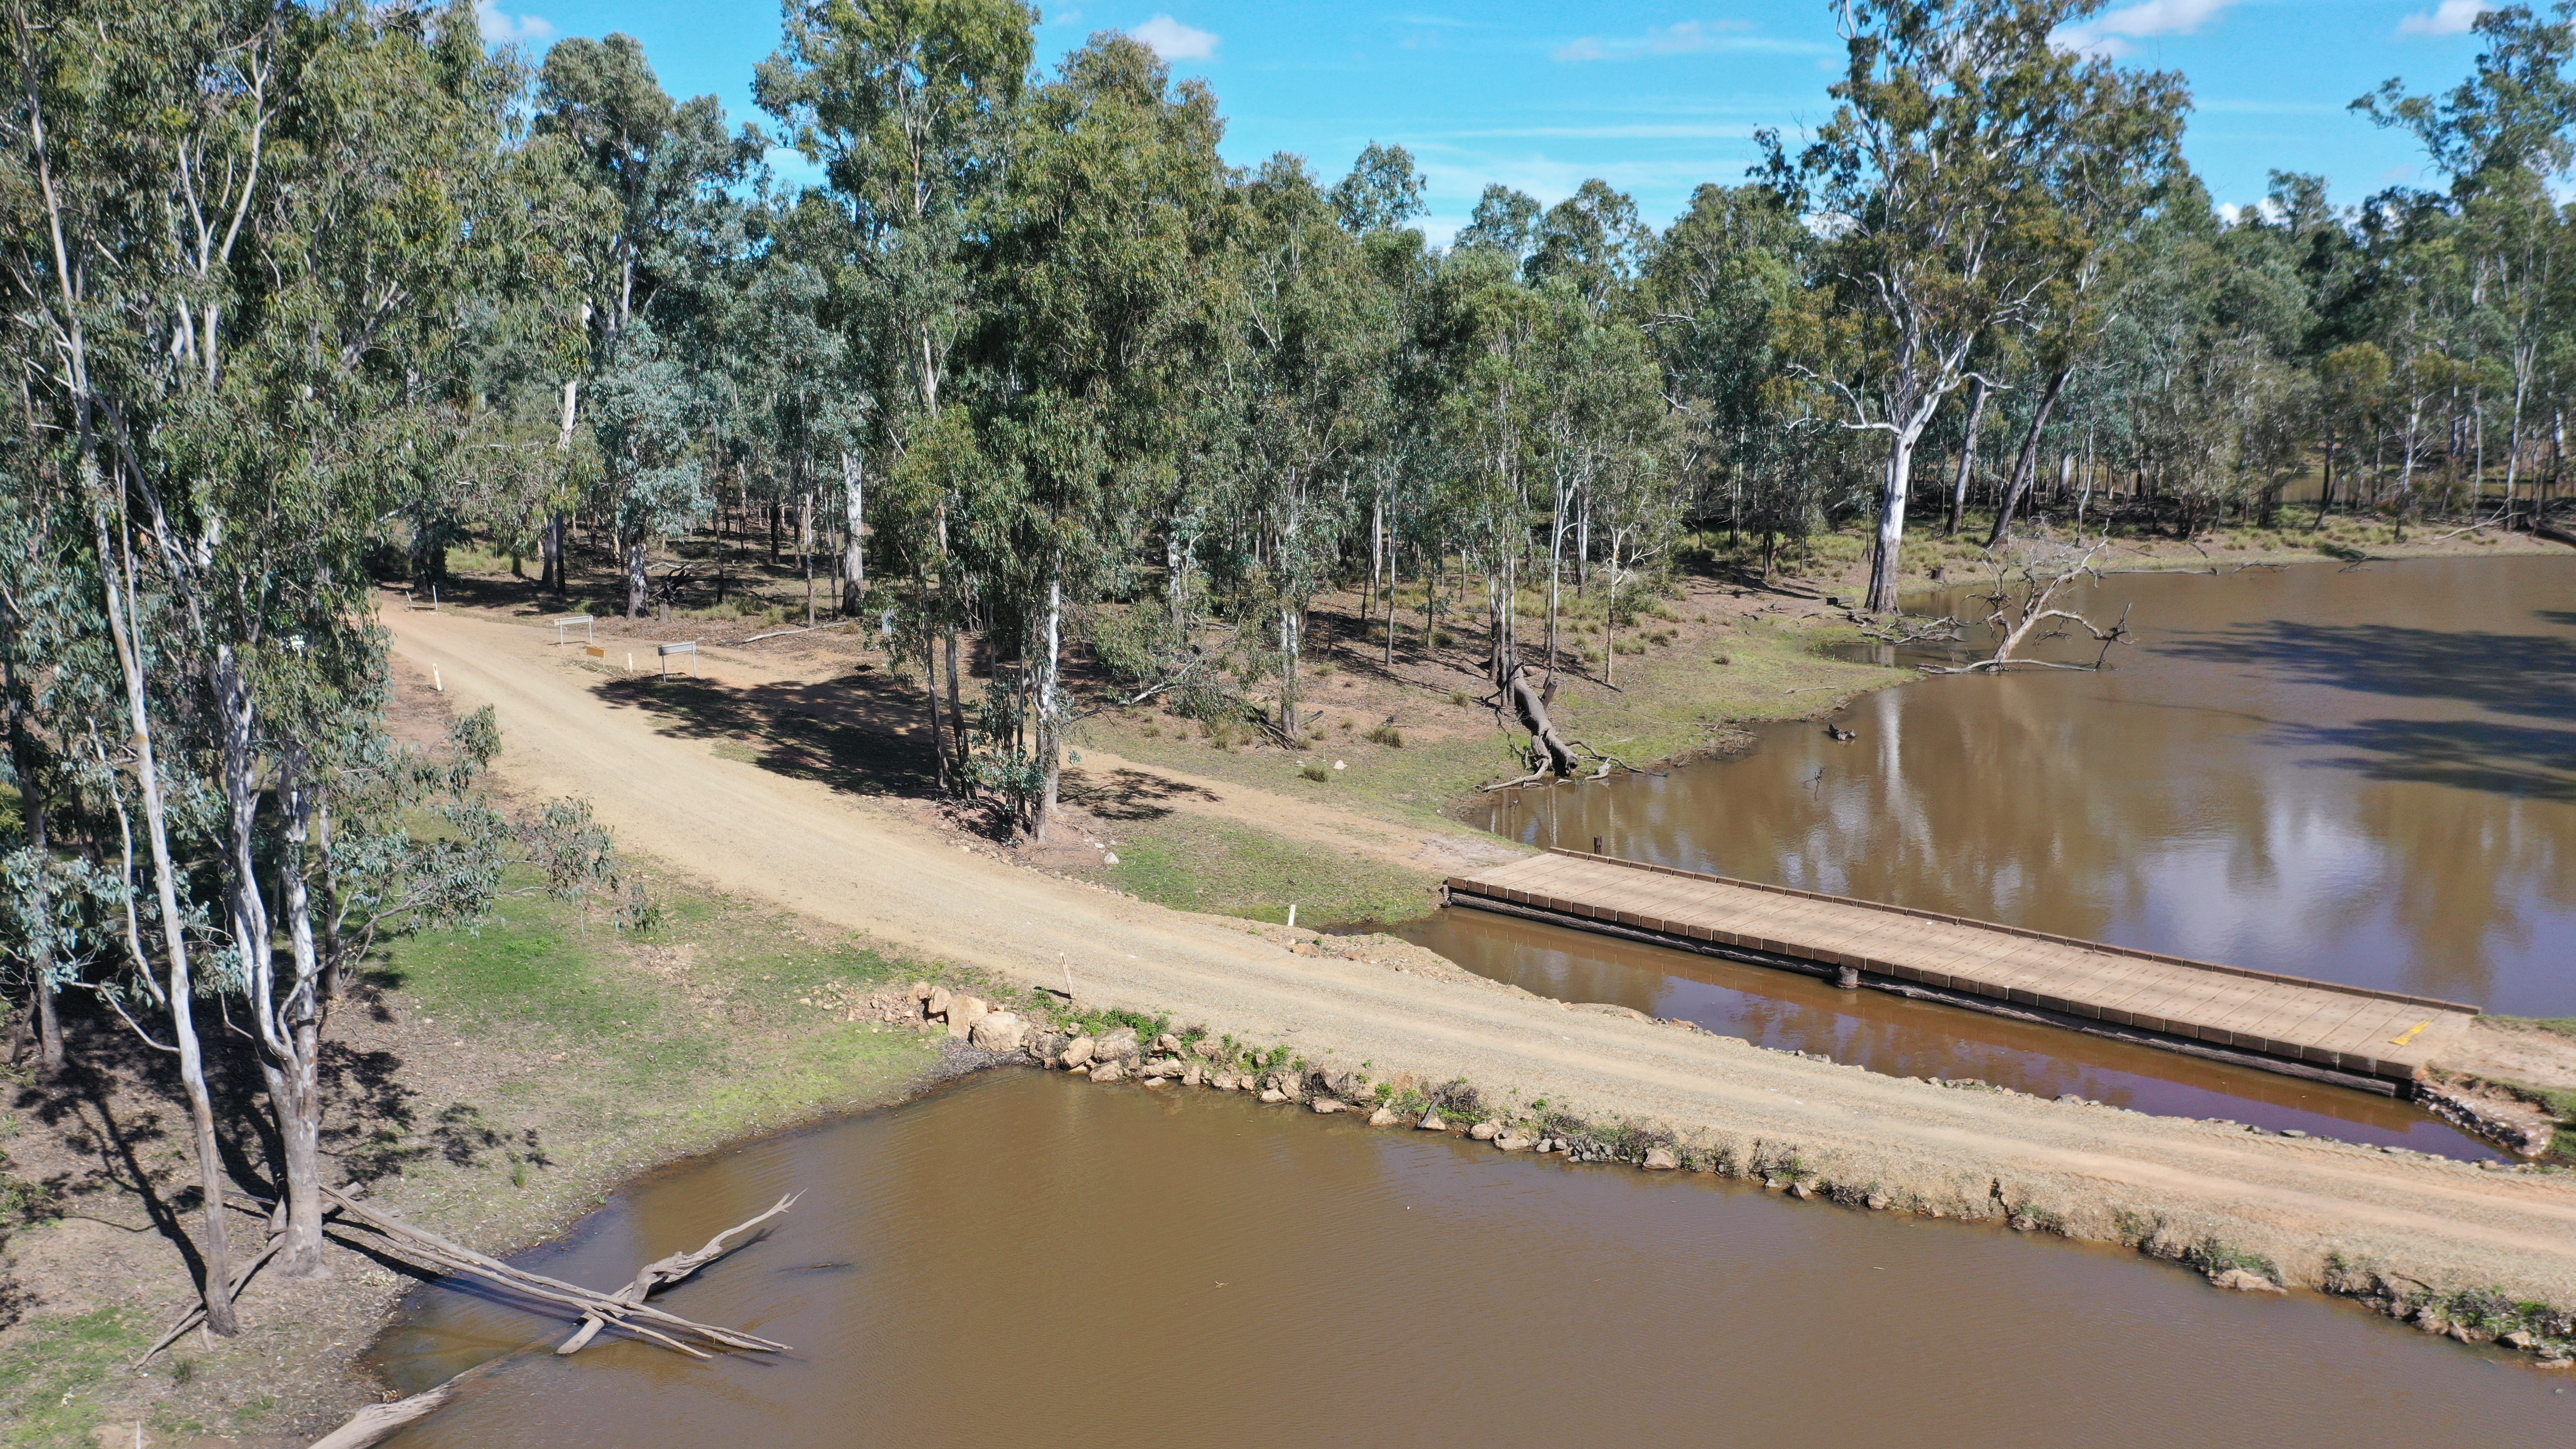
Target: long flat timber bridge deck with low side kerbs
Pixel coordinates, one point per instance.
(2302, 1027)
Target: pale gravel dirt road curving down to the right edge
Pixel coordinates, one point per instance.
(849, 860)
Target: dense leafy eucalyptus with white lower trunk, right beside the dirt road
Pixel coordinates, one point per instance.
(1096, 267)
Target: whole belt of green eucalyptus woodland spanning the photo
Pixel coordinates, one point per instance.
(300, 298)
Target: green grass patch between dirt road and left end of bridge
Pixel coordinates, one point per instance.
(1233, 870)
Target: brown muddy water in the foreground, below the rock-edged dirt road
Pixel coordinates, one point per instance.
(1034, 1259)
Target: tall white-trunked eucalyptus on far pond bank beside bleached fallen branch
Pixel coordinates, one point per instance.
(1954, 125)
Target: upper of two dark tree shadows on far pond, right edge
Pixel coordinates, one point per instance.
(2508, 674)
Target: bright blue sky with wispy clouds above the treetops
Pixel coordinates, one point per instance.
(1655, 99)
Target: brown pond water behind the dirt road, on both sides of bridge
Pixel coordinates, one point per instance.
(2351, 775)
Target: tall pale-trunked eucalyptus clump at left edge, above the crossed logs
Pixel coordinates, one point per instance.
(243, 316)
